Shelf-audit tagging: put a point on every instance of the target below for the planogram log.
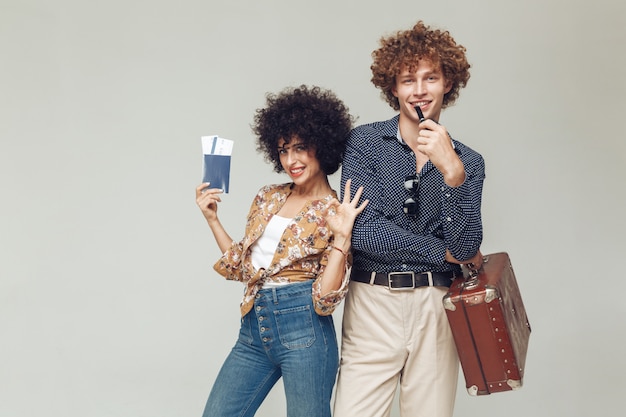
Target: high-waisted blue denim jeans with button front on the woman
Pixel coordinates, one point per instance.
(281, 336)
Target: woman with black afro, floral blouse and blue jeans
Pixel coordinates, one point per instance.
(293, 259)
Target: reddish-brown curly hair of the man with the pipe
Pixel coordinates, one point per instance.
(406, 48)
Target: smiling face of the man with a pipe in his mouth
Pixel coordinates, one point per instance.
(424, 87)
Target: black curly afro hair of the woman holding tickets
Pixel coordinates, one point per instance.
(313, 115)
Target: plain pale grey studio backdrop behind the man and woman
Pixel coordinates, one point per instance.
(109, 305)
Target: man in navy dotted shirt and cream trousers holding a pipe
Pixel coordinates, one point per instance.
(422, 221)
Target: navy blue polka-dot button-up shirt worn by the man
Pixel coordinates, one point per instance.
(384, 238)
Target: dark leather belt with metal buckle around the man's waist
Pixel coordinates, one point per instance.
(404, 280)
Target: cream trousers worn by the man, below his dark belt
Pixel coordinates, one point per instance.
(392, 337)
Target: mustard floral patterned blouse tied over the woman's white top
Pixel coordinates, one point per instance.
(301, 254)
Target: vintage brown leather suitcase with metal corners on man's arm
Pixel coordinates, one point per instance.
(489, 325)
